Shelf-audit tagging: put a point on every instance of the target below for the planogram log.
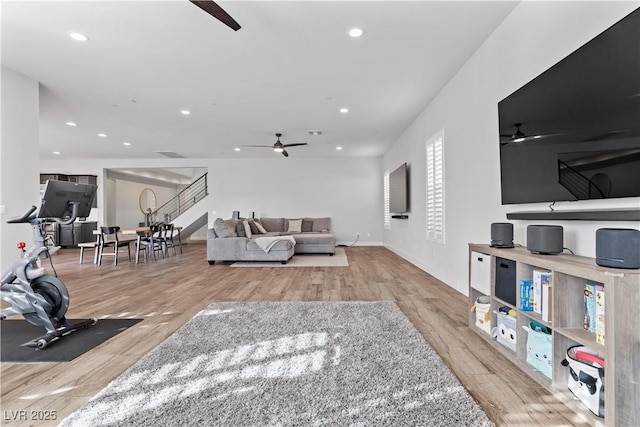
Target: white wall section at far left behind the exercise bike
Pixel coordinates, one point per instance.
(19, 159)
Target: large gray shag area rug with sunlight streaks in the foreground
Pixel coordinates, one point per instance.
(288, 364)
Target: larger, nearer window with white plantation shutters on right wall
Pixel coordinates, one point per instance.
(434, 153)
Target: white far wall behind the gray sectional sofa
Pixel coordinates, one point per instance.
(348, 190)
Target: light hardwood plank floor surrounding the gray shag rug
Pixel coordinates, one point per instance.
(167, 293)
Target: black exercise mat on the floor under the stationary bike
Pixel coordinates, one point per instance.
(14, 333)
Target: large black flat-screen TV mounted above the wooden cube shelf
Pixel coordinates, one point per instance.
(573, 133)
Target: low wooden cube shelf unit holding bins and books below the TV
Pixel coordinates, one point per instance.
(622, 326)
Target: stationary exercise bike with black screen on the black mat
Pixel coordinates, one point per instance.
(40, 298)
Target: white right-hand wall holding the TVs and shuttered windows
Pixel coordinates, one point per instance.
(531, 39)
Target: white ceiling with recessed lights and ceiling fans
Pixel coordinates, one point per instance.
(289, 69)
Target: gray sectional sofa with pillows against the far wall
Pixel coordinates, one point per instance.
(240, 240)
